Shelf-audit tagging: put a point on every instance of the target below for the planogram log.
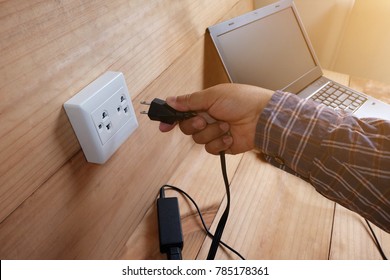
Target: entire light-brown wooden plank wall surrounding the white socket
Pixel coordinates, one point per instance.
(53, 204)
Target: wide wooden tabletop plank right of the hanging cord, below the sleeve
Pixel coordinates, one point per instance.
(274, 215)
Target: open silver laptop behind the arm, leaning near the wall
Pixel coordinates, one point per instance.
(270, 48)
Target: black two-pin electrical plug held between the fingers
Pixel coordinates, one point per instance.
(159, 110)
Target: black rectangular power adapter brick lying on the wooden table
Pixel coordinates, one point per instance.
(169, 226)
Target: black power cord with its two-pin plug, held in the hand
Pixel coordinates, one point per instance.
(159, 110)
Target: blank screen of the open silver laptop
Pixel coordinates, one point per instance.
(270, 51)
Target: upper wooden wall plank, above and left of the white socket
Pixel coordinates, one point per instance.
(51, 50)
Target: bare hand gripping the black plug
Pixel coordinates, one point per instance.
(236, 109)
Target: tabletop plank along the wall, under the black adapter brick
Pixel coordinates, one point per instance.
(201, 178)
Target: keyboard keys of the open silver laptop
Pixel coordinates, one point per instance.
(339, 98)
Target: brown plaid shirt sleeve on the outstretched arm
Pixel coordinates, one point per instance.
(346, 159)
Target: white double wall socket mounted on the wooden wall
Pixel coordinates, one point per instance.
(102, 116)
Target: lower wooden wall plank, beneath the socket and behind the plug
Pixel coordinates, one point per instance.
(87, 211)
